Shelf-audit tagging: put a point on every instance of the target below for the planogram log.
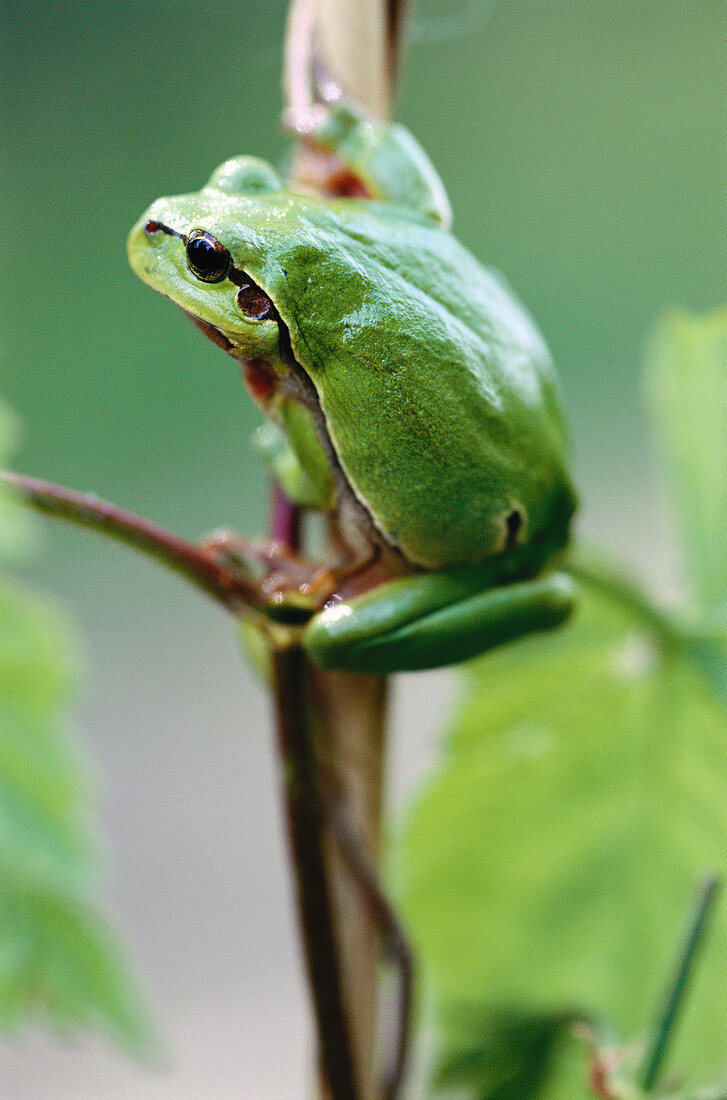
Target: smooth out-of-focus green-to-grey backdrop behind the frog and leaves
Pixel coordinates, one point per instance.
(583, 148)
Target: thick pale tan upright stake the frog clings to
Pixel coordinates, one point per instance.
(356, 43)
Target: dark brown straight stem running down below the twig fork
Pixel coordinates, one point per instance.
(306, 820)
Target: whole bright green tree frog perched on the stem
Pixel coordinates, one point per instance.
(413, 394)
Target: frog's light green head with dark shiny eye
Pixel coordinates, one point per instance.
(205, 251)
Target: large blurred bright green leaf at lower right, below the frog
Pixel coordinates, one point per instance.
(548, 866)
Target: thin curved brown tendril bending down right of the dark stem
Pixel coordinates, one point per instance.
(393, 936)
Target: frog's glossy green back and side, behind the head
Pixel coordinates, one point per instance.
(438, 391)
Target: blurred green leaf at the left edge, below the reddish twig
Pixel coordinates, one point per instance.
(59, 959)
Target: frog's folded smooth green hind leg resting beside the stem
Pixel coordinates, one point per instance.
(434, 620)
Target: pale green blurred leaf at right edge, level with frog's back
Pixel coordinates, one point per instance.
(687, 390)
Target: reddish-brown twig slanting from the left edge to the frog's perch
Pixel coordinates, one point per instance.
(86, 510)
